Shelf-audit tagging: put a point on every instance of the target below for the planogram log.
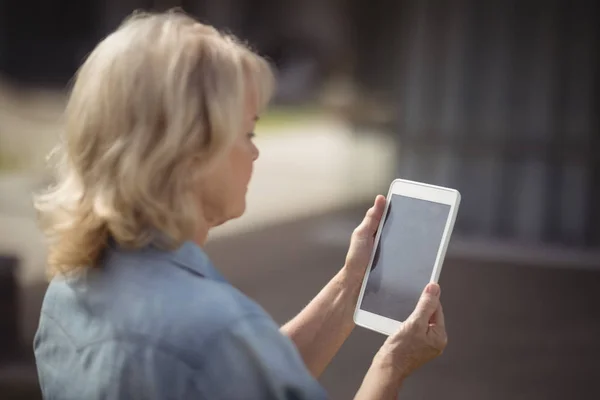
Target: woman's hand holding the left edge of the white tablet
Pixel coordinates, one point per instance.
(362, 241)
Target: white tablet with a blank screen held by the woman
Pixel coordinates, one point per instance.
(409, 251)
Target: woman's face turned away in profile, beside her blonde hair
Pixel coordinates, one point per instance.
(223, 192)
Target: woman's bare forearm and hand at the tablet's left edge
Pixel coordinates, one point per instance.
(326, 322)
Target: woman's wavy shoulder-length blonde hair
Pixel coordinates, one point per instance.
(151, 108)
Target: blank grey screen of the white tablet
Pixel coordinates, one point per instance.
(405, 256)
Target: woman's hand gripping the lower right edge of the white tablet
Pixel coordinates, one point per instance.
(421, 338)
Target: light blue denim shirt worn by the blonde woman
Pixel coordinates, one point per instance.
(151, 324)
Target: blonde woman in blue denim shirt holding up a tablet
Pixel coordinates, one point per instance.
(158, 150)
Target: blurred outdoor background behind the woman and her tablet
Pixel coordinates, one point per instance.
(498, 99)
